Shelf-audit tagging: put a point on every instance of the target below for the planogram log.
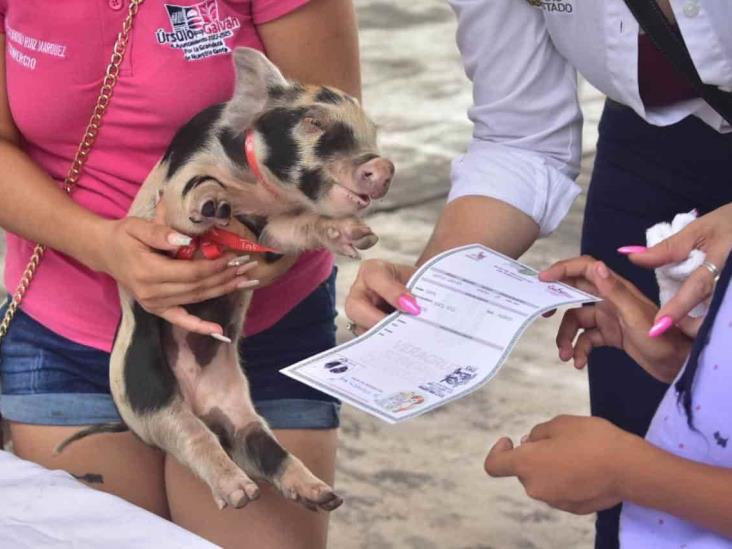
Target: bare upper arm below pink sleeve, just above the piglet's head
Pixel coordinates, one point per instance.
(317, 44)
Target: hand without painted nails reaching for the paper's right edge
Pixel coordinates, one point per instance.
(623, 320)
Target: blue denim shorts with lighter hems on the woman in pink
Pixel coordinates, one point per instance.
(46, 379)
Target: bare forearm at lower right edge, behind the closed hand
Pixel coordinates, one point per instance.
(689, 490)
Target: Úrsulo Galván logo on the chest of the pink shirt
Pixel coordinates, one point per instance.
(197, 30)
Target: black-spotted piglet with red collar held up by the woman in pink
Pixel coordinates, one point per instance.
(313, 164)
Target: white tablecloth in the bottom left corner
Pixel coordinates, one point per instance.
(40, 508)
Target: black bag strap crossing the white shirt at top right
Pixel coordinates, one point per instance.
(659, 30)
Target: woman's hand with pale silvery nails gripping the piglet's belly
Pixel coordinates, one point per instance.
(129, 251)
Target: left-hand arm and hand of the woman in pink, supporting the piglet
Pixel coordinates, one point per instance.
(34, 207)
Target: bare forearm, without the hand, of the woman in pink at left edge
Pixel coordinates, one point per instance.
(34, 207)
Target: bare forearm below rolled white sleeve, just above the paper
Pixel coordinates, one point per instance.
(484, 220)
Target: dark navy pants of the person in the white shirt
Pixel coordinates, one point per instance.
(643, 174)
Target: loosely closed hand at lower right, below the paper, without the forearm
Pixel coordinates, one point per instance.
(572, 463)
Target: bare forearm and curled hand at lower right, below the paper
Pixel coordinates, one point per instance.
(586, 464)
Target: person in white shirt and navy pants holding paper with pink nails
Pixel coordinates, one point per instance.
(662, 150)
